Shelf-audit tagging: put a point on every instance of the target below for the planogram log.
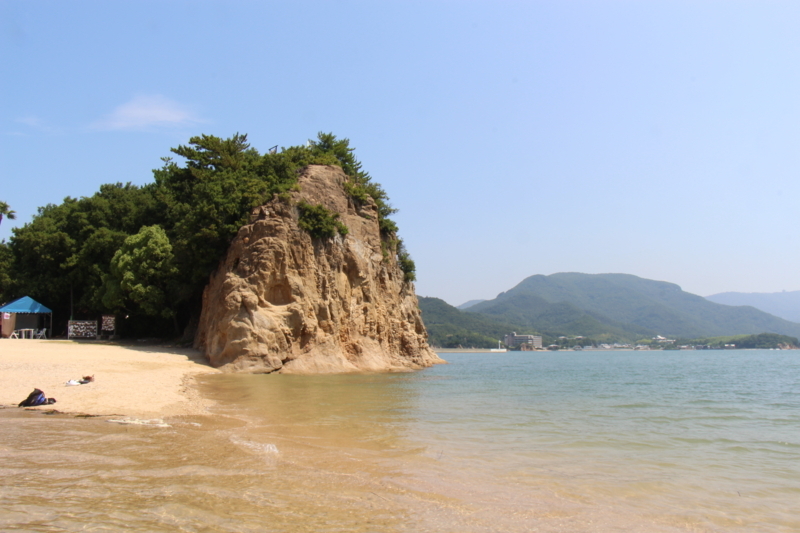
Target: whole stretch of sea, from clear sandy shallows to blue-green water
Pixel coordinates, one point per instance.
(556, 441)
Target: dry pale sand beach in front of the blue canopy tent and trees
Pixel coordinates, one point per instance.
(133, 381)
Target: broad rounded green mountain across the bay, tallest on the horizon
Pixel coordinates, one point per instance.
(623, 304)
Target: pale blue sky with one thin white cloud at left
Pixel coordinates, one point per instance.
(660, 139)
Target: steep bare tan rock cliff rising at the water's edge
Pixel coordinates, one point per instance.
(284, 301)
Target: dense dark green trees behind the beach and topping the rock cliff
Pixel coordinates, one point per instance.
(81, 257)
